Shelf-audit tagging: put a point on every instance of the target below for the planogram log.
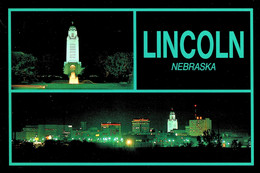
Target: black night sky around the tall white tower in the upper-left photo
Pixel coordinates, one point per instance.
(41, 33)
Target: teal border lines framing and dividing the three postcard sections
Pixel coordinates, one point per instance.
(134, 90)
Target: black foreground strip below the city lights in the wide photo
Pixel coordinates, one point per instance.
(89, 152)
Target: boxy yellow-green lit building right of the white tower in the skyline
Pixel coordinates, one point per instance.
(198, 126)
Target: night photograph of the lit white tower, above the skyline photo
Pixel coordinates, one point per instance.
(72, 50)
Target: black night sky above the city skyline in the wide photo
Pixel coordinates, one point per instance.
(230, 111)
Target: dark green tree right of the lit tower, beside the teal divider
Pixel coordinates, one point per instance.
(119, 66)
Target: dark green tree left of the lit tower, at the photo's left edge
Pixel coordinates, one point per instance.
(23, 67)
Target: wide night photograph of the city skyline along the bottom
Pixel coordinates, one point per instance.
(130, 127)
